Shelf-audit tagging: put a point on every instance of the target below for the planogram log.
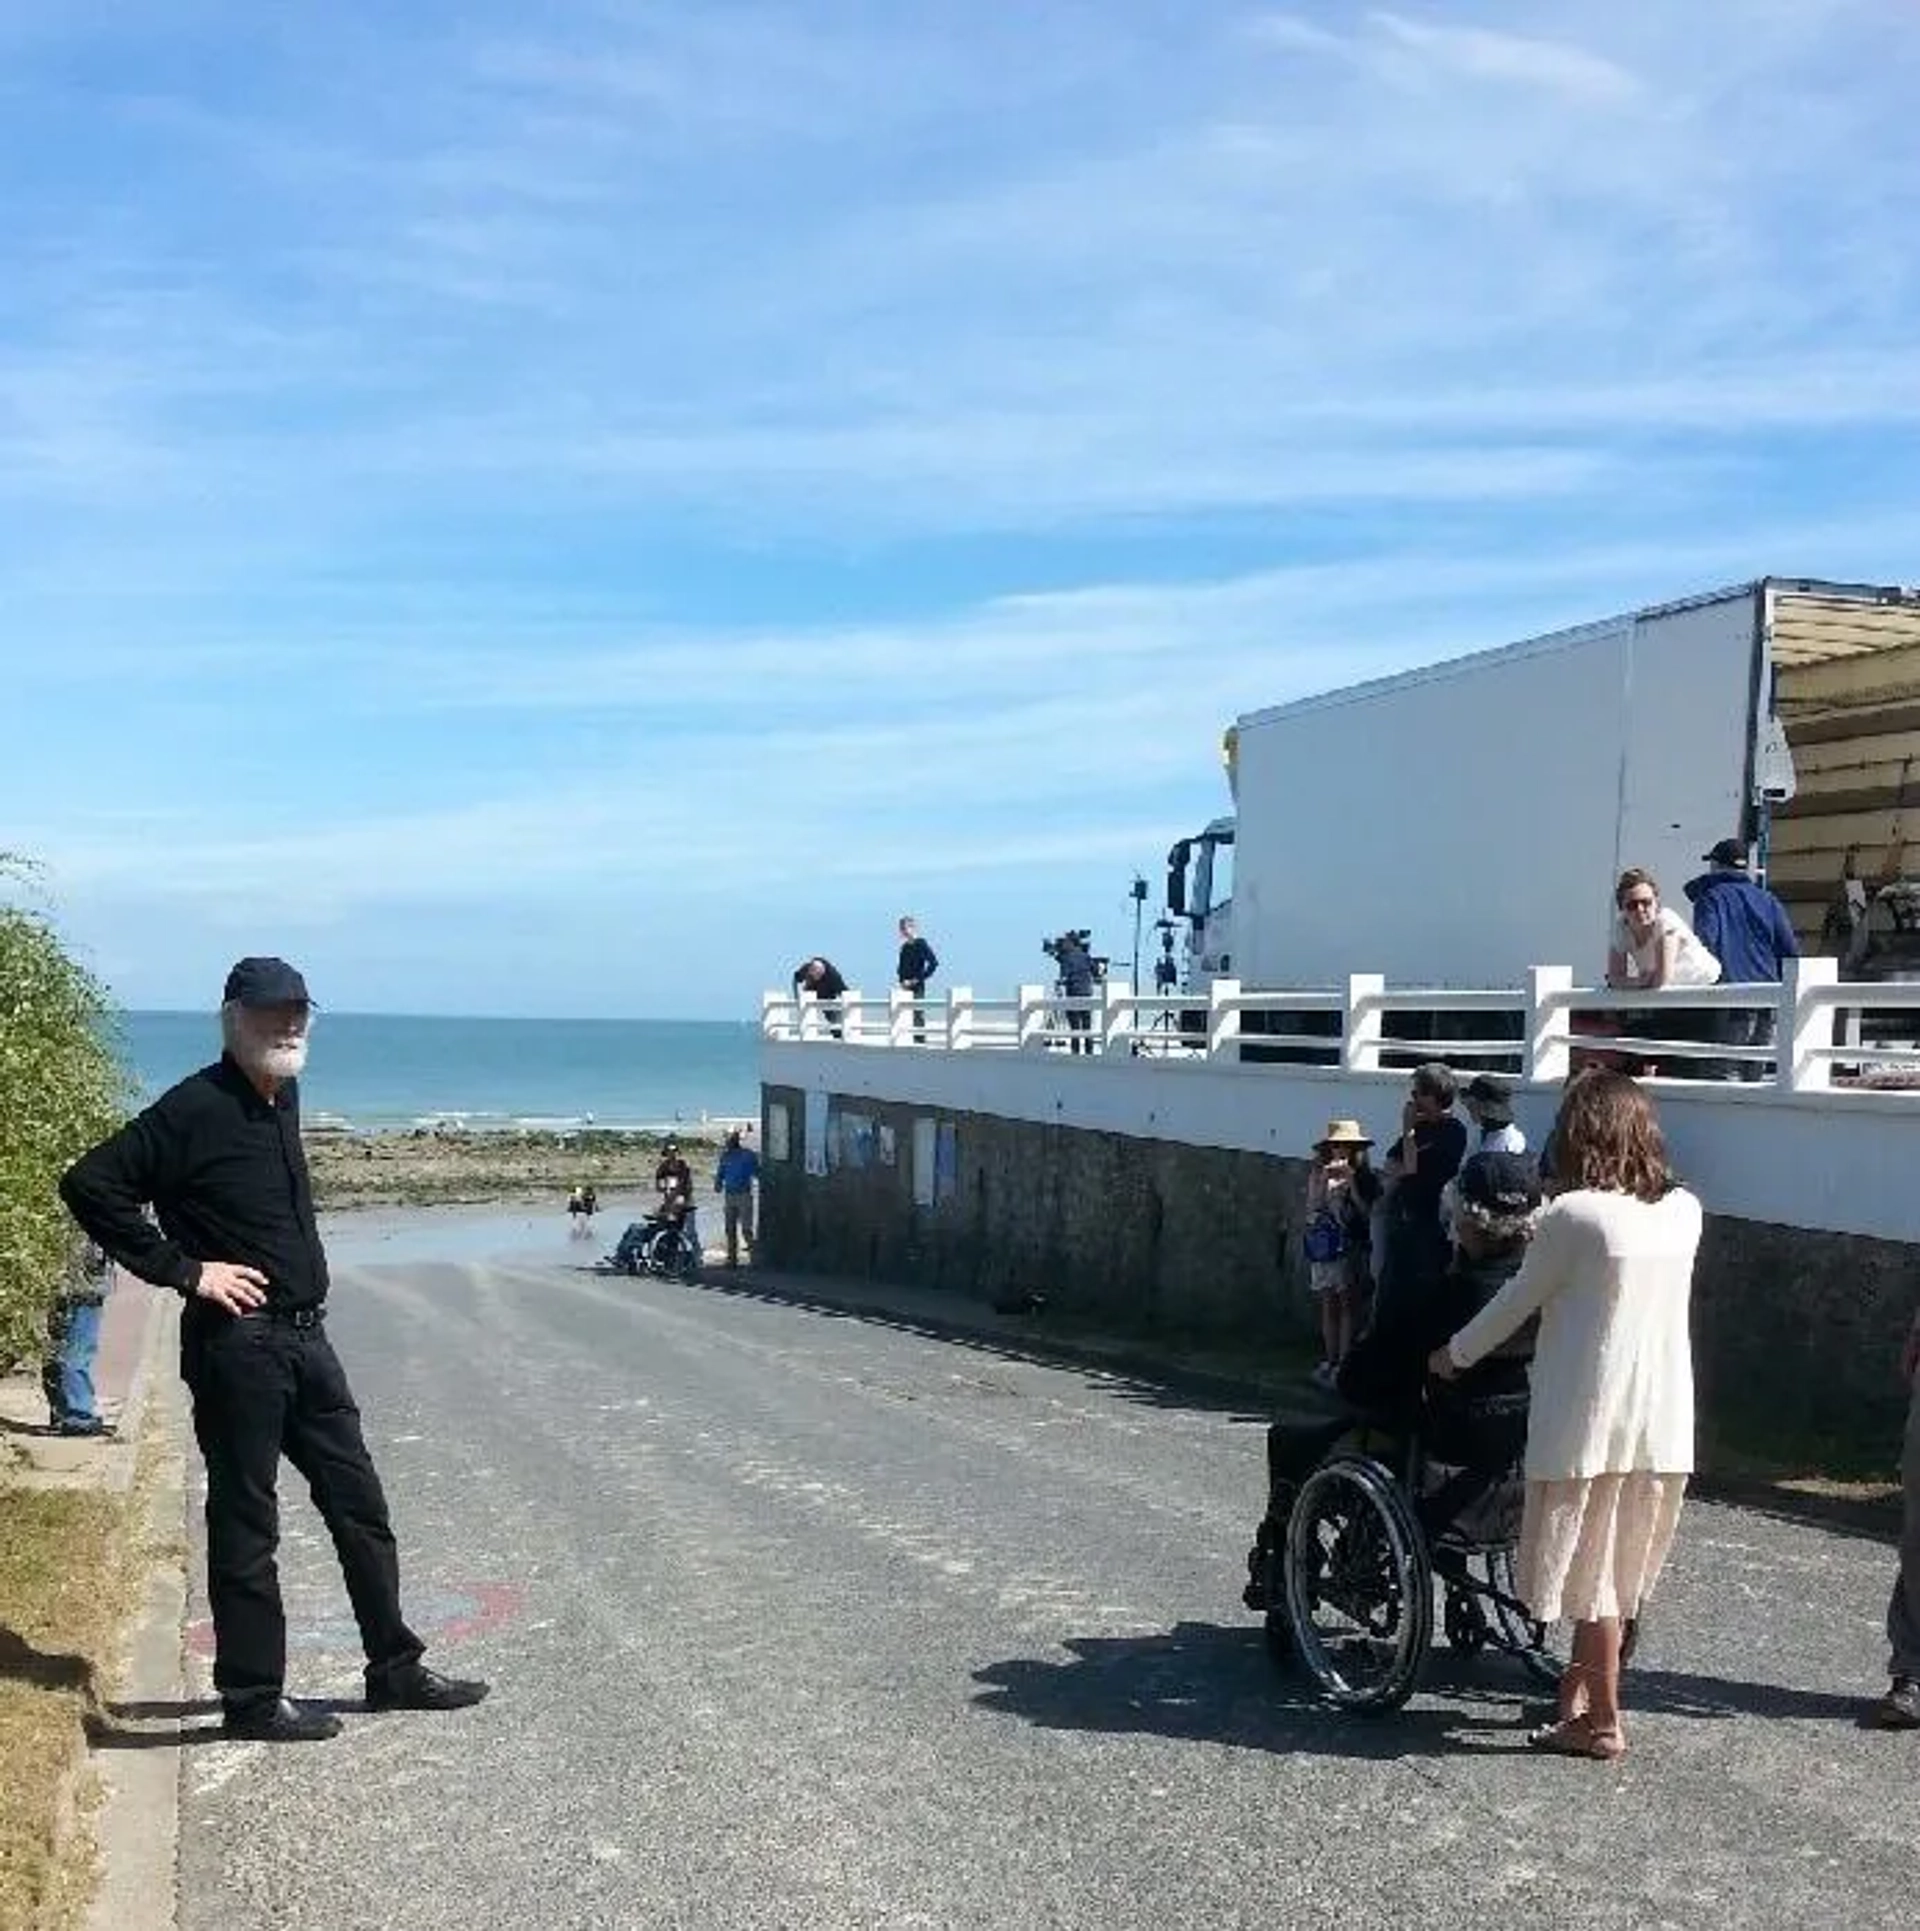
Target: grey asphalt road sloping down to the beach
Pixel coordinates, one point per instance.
(812, 1621)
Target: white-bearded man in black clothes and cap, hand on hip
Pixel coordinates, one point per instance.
(219, 1158)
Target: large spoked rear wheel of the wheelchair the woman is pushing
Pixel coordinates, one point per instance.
(1359, 1586)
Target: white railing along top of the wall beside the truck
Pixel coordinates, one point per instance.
(1803, 1036)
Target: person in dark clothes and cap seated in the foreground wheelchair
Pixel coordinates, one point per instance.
(1475, 1424)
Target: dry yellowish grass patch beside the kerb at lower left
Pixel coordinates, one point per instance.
(63, 1567)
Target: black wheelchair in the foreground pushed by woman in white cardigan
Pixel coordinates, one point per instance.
(1367, 1526)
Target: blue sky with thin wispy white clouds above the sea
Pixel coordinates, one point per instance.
(575, 509)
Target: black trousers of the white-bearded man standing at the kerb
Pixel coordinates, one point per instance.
(266, 1389)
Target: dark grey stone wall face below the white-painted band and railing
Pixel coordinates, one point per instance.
(1795, 1333)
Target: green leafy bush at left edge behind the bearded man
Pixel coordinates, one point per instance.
(63, 1088)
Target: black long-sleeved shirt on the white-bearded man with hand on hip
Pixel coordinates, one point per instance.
(227, 1177)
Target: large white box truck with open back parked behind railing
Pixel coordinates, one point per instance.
(1454, 826)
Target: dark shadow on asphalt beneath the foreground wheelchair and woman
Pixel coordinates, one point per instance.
(1216, 1685)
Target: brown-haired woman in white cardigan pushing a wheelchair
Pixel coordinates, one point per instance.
(1610, 1436)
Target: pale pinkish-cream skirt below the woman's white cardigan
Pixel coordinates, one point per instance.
(1595, 1548)
